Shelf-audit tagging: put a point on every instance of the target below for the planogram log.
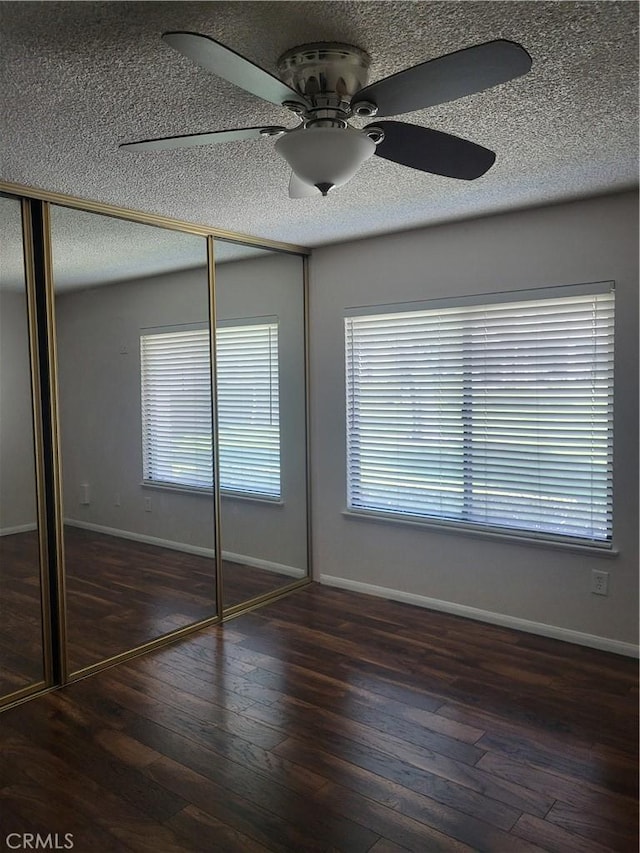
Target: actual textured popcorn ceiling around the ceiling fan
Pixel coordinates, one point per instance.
(78, 78)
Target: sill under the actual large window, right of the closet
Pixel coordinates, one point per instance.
(478, 533)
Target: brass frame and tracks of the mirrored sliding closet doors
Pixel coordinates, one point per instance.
(37, 245)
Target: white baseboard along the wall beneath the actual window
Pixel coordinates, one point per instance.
(566, 634)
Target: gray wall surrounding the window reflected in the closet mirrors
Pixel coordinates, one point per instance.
(100, 412)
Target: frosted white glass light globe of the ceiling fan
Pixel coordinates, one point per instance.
(325, 155)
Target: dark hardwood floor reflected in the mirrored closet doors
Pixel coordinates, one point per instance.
(120, 594)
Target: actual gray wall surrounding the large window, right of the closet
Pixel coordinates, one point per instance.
(586, 241)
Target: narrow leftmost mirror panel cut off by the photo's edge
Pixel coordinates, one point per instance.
(21, 635)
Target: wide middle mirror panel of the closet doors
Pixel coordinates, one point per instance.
(132, 317)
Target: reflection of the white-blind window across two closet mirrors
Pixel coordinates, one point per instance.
(176, 407)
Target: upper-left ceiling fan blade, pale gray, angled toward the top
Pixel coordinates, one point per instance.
(229, 65)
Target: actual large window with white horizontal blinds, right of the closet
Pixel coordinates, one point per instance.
(498, 416)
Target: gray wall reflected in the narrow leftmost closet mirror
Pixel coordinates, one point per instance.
(17, 470)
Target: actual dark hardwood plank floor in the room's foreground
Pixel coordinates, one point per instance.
(331, 721)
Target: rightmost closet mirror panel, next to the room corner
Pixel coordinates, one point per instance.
(261, 409)
